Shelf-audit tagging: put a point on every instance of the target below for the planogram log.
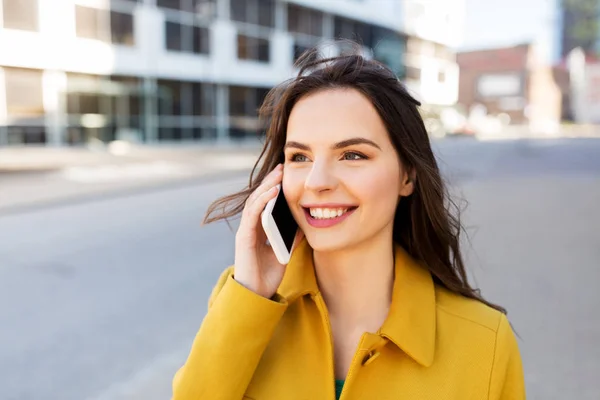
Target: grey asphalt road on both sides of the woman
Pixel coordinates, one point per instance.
(101, 300)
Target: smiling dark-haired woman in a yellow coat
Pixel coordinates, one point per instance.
(375, 303)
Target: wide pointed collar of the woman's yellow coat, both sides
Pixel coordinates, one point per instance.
(410, 324)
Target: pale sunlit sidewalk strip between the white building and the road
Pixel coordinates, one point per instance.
(38, 177)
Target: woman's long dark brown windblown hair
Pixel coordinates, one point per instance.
(427, 223)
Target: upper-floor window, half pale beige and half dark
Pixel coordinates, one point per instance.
(108, 26)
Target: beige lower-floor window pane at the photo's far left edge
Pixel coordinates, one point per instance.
(23, 92)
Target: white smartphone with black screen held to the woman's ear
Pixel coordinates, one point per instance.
(280, 226)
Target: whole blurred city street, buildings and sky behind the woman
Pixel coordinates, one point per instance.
(120, 120)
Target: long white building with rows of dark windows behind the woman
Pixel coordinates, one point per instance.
(72, 71)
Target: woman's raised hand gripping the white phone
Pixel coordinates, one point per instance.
(256, 266)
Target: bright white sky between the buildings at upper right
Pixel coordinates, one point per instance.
(493, 23)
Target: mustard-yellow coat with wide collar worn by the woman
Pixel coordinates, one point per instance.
(434, 344)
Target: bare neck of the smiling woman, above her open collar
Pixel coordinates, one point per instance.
(356, 284)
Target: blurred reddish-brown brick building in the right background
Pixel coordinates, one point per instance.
(513, 82)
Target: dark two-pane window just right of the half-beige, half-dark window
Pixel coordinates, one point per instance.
(187, 38)
